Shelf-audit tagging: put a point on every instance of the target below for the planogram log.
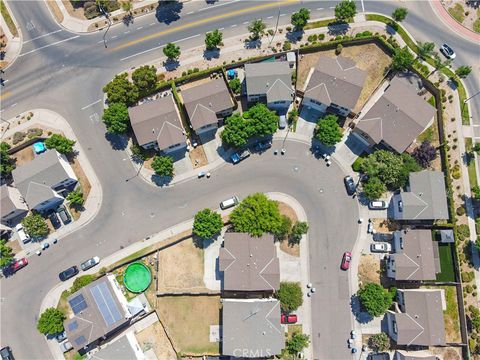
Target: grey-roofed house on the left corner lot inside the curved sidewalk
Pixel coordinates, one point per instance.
(42, 181)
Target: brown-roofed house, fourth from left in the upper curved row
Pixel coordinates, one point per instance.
(334, 85)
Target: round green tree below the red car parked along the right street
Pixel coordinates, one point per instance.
(375, 299)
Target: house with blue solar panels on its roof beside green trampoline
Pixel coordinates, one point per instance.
(99, 310)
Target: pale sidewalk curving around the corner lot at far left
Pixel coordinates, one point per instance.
(92, 204)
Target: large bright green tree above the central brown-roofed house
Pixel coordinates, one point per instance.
(256, 215)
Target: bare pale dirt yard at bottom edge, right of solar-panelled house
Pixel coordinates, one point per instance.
(154, 337)
